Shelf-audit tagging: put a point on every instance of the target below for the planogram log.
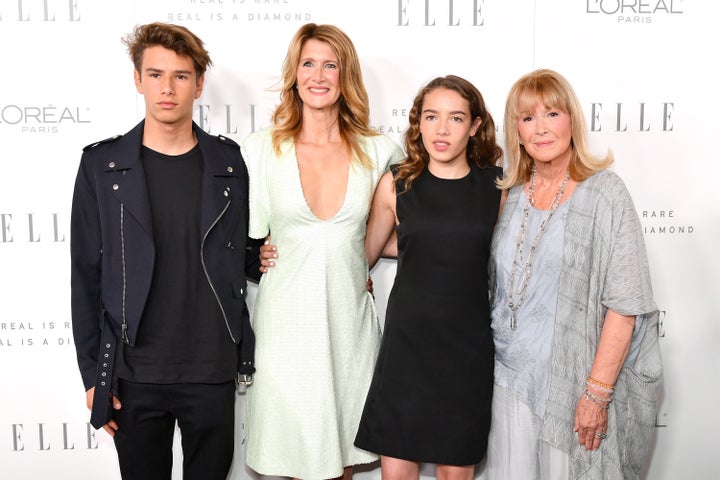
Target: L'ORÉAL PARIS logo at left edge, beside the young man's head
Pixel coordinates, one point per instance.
(42, 118)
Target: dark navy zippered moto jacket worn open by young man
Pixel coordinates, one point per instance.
(112, 249)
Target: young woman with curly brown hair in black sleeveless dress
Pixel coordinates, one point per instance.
(429, 401)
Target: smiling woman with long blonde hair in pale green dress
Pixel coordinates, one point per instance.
(312, 177)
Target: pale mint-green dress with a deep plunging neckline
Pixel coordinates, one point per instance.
(316, 327)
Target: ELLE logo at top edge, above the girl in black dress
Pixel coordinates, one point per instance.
(440, 13)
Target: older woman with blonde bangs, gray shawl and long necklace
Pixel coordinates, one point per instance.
(577, 363)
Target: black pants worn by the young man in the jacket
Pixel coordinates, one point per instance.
(205, 414)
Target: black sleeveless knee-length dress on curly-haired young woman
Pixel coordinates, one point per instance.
(430, 397)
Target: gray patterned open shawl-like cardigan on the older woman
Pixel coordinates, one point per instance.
(604, 267)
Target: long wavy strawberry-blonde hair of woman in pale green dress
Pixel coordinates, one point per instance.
(353, 104)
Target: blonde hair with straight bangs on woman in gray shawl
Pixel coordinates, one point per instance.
(553, 91)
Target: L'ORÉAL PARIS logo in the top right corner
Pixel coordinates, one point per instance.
(634, 11)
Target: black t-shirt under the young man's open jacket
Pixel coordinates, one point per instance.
(182, 337)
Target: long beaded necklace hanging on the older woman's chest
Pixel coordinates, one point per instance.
(516, 298)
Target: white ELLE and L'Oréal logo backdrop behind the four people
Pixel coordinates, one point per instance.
(643, 69)
